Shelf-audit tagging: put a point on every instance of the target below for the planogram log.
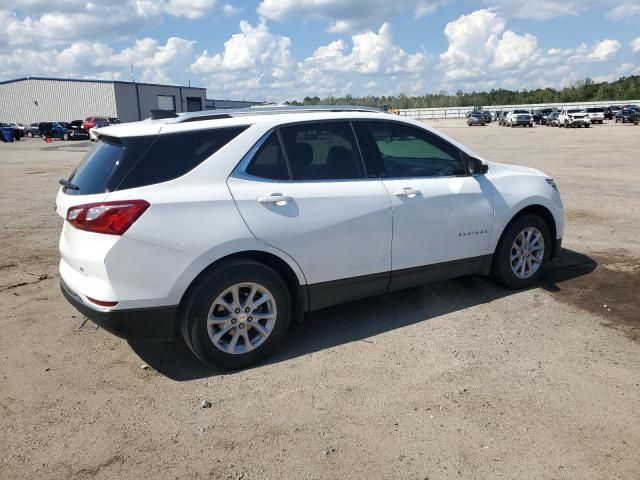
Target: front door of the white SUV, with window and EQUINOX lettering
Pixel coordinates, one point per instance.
(442, 216)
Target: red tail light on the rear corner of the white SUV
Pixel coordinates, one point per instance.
(113, 218)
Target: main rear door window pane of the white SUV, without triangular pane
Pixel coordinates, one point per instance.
(322, 151)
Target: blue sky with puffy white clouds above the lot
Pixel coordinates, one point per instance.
(280, 50)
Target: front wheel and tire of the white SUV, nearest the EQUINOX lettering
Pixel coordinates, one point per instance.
(503, 269)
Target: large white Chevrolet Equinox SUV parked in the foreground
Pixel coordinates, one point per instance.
(222, 227)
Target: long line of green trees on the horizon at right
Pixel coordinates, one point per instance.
(625, 88)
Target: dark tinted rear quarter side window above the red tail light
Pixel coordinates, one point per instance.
(172, 155)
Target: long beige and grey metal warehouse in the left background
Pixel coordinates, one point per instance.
(37, 99)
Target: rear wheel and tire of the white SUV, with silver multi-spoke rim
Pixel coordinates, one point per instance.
(205, 301)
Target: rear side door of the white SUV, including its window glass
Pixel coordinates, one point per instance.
(304, 189)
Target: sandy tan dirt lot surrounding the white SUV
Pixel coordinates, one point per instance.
(459, 379)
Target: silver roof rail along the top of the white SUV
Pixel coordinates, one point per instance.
(269, 110)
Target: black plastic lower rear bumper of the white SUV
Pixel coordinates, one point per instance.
(153, 323)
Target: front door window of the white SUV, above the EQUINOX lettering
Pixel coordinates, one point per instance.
(408, 151)
